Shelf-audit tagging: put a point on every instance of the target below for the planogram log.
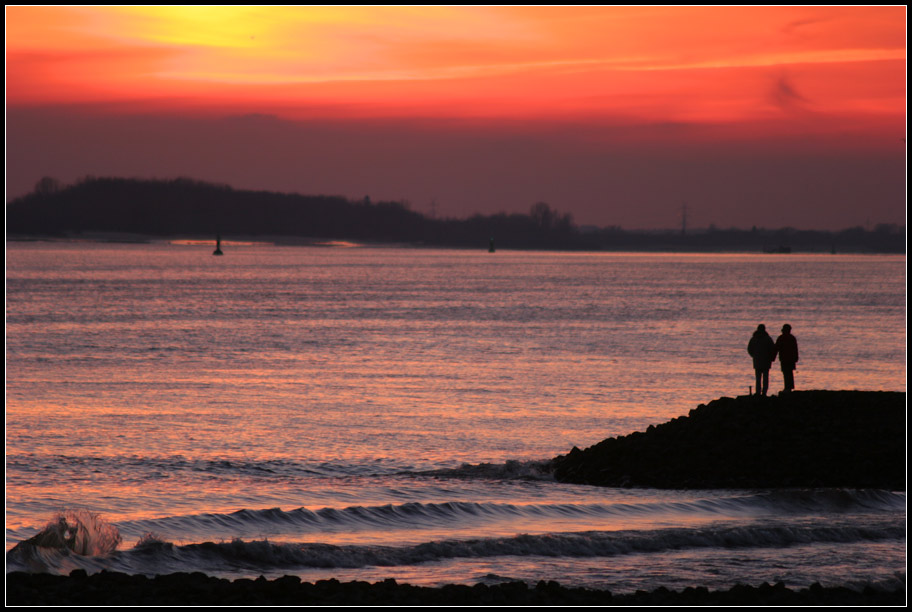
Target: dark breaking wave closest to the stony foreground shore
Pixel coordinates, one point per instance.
(155, 555)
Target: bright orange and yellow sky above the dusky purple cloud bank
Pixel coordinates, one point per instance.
(713, 64)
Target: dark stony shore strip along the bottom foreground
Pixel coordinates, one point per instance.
(113, 588)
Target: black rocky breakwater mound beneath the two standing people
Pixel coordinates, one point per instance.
(850, 439)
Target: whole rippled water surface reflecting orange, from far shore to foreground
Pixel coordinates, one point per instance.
(370, 413)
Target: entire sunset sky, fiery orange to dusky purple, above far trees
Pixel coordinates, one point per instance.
(766, 116)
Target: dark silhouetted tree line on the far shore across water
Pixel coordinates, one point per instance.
(187, 207)
